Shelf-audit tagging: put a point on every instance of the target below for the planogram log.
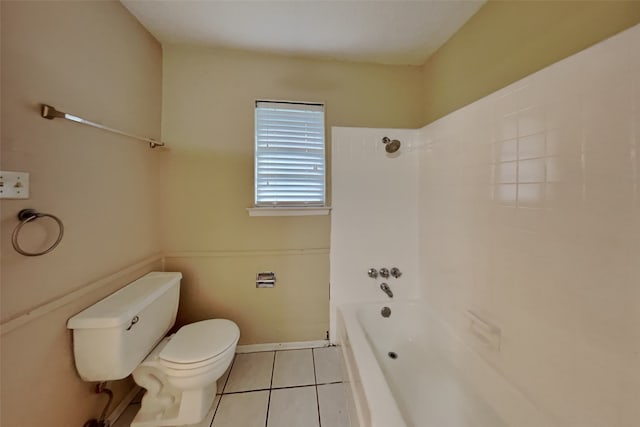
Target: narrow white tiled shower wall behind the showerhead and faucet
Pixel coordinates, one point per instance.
(374, 216)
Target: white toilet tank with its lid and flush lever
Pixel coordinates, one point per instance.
(114, 335)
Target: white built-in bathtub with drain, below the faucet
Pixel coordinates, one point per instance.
(435, 381)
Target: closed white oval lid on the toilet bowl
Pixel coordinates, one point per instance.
(200, 341)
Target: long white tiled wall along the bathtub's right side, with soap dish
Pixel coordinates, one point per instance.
(529, 214)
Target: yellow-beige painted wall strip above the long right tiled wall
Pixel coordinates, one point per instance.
(508, 40)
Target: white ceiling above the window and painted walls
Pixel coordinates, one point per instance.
(396, 32)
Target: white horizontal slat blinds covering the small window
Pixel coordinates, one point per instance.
(290, 154)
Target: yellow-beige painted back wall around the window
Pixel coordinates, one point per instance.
(208, 118)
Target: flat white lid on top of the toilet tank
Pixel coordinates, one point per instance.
(121, 306)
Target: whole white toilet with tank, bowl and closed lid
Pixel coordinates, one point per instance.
(124, 334)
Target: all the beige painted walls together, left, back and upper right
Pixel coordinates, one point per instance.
(95, 60)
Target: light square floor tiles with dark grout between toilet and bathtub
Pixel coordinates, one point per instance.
(289, 388)
